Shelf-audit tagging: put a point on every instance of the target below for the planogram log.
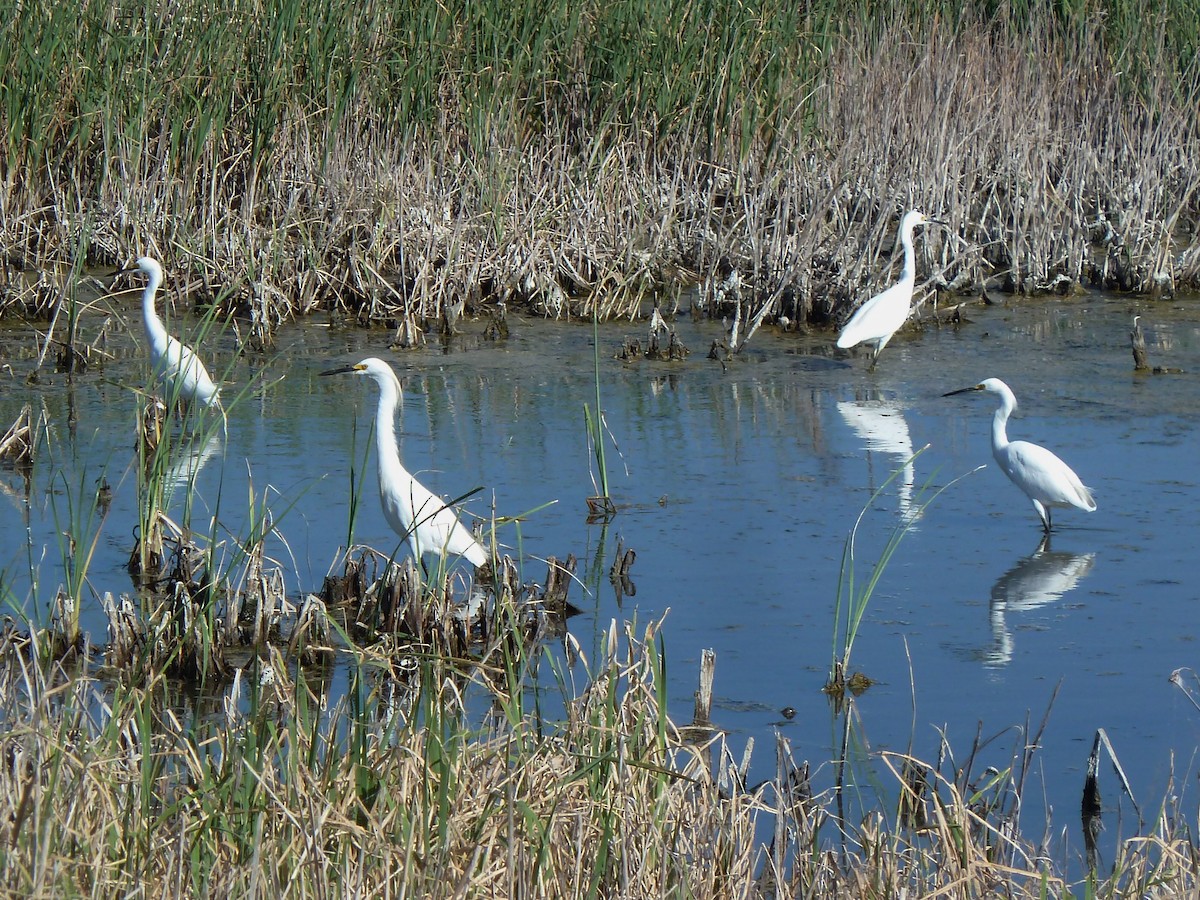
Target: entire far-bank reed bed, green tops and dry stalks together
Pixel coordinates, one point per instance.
(403, 164)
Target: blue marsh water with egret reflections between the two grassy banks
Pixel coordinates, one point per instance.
(737, 487)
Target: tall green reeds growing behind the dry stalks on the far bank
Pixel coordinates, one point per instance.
(107, 79)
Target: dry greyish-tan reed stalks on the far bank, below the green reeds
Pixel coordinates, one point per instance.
(1052, 173)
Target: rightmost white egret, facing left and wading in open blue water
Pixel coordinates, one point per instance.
(1047, 481)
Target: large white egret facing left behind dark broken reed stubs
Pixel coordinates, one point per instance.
(412, 511)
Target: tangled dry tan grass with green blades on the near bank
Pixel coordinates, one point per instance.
(117, 788)
